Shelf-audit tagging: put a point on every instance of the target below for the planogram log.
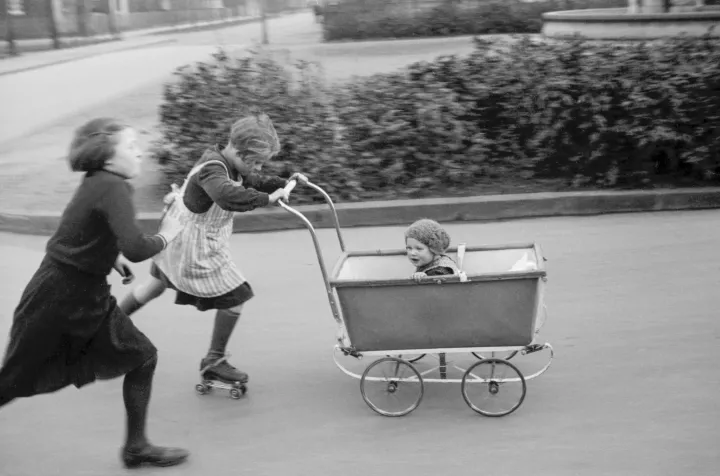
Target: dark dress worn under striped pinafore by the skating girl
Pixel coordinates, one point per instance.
(212, 185)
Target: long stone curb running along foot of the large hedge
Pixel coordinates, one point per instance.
(404, 212)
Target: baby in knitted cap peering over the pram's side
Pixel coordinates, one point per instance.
(426, 243)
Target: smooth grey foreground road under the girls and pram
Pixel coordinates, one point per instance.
(633, 390)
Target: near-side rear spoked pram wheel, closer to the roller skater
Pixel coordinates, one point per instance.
(392, 387)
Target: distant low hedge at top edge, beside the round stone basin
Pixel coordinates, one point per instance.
(365, 19)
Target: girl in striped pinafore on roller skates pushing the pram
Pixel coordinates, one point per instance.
(198, 264)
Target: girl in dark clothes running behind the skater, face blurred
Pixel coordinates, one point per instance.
(68, 329)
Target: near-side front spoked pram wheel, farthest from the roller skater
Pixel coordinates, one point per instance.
(496, 385)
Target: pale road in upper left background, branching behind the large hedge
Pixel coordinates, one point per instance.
(35, 99)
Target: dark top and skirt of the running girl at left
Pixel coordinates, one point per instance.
(68, 328)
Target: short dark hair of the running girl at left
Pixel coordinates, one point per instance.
(94, 144)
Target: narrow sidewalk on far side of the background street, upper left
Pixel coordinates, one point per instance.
(75, 48)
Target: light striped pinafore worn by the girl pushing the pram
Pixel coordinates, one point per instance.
(198, 261)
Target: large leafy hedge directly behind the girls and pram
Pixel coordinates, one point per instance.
(588, 115)
